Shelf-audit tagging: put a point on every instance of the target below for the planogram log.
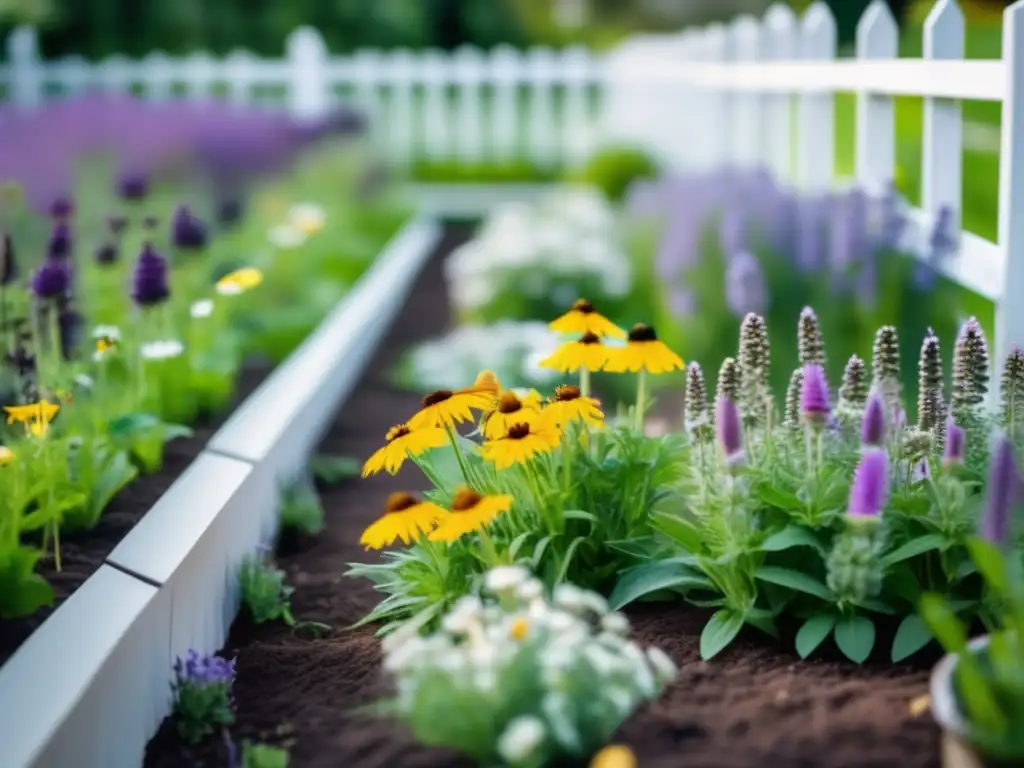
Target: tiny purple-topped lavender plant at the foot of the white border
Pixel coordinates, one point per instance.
(203, 701)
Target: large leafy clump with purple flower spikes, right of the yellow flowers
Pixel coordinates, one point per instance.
(834, 520)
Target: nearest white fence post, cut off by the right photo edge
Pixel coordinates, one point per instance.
(1010, 307)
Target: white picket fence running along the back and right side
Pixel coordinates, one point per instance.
(756, 93)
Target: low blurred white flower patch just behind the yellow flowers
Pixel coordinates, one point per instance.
(513, 350)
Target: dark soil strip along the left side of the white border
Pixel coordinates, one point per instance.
(83, 552)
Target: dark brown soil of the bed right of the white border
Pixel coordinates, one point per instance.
(753, 706)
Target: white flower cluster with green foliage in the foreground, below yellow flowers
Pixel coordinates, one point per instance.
(549, 678)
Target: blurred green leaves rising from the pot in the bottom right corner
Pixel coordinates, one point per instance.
(989, 677)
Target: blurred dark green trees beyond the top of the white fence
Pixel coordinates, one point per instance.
(99, 28)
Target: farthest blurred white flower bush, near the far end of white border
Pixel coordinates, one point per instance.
(546, 250)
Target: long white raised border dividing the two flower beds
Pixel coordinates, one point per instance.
(92, 686)
